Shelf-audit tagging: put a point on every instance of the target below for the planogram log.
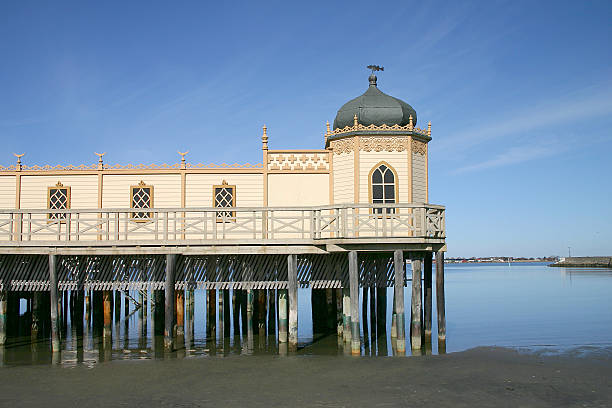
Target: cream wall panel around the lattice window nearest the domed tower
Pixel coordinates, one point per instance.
(199, 189)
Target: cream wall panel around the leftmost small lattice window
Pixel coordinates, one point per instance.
(83, 191)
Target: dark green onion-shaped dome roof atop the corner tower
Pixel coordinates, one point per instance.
(375, 107)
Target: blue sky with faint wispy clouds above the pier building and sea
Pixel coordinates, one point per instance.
(519, 95)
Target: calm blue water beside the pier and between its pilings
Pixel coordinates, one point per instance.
(528, 306)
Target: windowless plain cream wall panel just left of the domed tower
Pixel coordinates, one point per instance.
(298, 189)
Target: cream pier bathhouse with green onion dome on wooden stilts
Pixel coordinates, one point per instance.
(345, 217)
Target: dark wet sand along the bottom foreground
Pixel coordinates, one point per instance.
(481, 377)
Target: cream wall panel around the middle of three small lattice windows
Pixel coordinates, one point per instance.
(116, 190)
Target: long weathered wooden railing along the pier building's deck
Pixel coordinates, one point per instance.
(172, 225)
